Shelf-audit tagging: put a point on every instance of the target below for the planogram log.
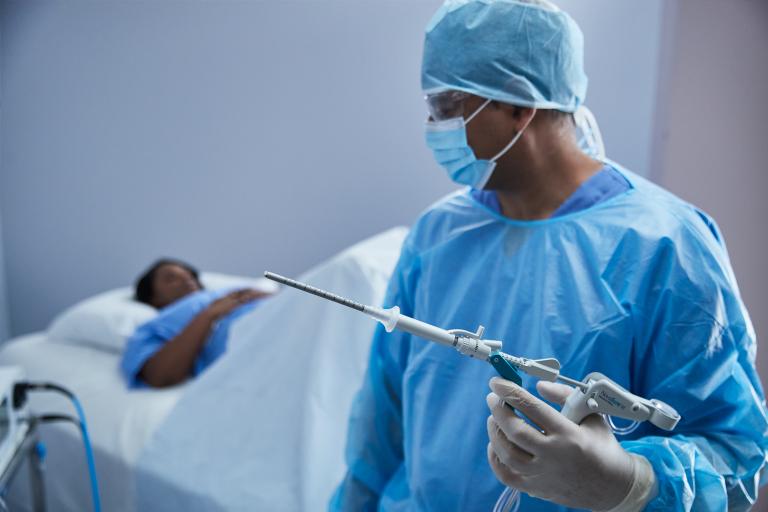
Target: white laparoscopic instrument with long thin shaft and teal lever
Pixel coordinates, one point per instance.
(596, 394)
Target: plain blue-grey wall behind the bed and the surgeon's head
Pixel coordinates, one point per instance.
(242, 136)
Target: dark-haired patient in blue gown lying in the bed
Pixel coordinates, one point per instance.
(190, 331)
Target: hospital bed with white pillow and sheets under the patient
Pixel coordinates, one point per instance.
(262, 429)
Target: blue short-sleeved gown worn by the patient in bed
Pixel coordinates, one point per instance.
(151, 336)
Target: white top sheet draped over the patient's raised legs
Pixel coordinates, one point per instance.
(265, 427)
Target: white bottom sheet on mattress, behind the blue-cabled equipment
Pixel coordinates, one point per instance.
(120, 422)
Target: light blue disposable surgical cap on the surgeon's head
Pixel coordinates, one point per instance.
(514, 52)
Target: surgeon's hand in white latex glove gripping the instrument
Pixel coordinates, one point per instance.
(579, 466)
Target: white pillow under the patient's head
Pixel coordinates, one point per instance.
(105, 321)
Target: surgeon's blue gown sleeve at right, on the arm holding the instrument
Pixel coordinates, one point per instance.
(698, 355)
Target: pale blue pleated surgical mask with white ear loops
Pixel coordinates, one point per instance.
(447, 139)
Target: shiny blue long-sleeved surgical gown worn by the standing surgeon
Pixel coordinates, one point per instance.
(638, 287)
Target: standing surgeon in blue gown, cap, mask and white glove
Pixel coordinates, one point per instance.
(559, 254)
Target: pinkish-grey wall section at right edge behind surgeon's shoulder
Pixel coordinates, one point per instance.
(714, 150)
